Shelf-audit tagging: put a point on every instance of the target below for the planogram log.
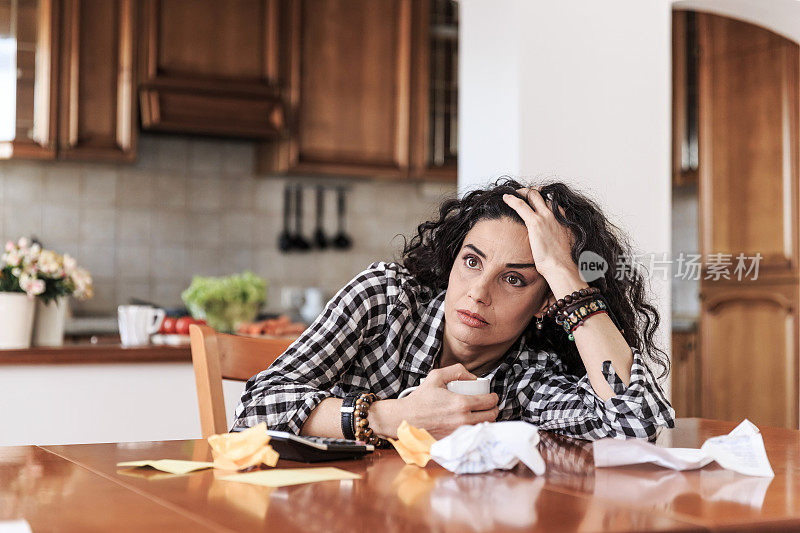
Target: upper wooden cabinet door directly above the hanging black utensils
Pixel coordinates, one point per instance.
(348, 89)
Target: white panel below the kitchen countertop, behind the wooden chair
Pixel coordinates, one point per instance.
(72, 404)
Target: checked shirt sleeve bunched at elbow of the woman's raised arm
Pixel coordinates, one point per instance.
(567, 404)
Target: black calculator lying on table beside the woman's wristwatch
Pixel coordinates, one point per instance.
(316, 449)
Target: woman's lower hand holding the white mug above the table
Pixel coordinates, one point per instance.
(431, 406)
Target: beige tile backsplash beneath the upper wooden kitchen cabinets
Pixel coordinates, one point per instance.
(196, 206)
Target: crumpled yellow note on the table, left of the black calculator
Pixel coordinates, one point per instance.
(246, 449)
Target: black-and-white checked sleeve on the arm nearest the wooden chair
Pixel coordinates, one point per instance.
(286, 393)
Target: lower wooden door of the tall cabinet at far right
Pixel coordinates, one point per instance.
(749, 347)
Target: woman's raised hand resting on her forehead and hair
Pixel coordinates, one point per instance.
(551, 243)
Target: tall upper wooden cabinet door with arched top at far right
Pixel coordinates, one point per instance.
(748, 92)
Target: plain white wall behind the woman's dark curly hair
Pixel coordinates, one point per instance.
(592, 95)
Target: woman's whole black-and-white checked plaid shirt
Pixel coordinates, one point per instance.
(377, 335)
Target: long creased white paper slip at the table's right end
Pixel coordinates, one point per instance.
(741, 450)
